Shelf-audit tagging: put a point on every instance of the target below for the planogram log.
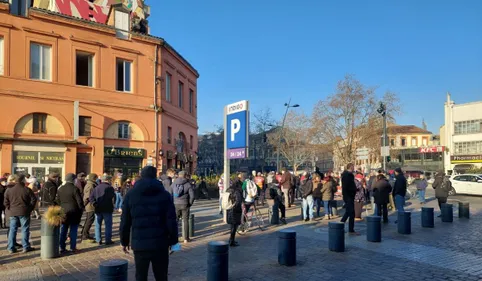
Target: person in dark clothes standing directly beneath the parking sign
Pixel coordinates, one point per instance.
(235, 213)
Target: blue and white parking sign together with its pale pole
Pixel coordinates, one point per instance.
(236, 137)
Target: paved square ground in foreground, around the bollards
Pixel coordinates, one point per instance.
(450, 251)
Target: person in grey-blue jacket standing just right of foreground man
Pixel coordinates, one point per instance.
(183, 193)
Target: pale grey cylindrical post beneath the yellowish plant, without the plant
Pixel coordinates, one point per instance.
(49, 240)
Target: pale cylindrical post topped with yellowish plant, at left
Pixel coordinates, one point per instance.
(50, 232)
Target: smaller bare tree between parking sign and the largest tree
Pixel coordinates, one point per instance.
(296, 145)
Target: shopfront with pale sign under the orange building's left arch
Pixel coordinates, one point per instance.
(37, 163)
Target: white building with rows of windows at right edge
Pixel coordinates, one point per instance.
(462, 135)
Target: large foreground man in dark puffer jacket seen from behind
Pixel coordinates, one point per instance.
(149, 210)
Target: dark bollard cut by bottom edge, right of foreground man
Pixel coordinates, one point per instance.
(218, 261)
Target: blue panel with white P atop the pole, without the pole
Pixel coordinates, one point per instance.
(237, 130)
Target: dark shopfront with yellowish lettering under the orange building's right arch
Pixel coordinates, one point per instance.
(126, 160)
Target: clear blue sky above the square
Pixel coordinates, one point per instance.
(268, 51)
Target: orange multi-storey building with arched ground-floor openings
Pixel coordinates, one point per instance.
(80, 96)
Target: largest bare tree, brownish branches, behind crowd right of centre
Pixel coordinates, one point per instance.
(349, 119)
